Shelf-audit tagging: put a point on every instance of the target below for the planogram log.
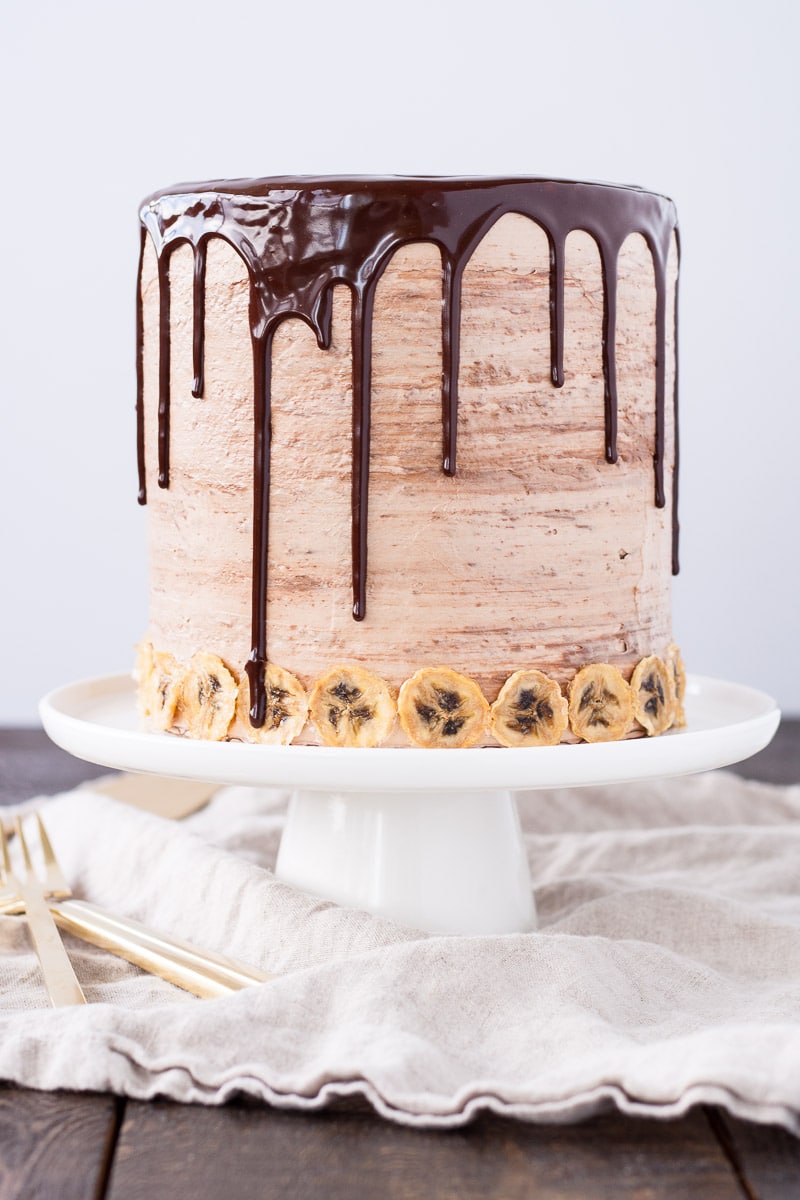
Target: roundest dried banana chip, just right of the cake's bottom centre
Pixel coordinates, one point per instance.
(442, 709)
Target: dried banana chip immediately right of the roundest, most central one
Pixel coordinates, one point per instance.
(531, 711)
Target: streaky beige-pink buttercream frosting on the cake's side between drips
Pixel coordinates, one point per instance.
(538, 554)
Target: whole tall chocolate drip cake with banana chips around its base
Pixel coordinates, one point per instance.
(410, 454)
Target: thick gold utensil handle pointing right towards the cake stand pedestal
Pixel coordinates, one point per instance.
(202, 973)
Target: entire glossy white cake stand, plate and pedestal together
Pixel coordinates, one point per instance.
(430, 838)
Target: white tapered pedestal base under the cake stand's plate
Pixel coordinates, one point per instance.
(446, 862)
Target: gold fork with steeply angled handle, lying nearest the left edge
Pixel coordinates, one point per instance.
(26, 891)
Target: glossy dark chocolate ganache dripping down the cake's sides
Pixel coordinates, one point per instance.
(300, 237)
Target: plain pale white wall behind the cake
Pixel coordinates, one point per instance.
(104, 103)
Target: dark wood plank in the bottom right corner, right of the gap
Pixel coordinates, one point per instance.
(767, 1156)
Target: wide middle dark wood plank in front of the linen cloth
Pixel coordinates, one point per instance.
(354, 1154)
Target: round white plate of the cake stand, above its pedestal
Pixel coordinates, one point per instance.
(95, 719)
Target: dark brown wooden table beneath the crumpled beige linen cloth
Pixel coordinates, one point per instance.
(64, 1145)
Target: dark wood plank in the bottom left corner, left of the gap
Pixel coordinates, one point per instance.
(56, 1145)
